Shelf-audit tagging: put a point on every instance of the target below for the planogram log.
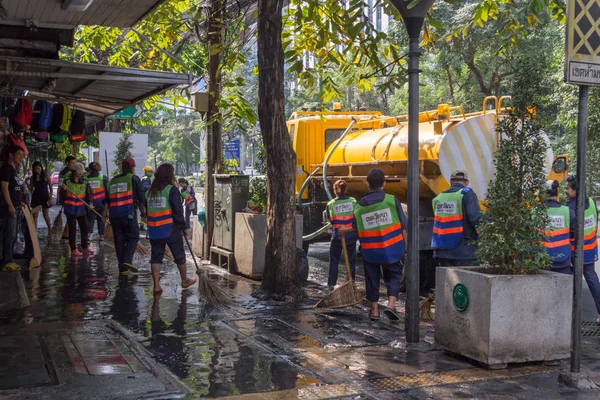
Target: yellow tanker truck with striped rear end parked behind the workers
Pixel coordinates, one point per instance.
(346, 145)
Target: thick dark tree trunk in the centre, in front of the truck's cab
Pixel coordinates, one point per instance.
(281, 272)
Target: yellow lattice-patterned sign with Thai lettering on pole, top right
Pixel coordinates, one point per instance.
(582, 53)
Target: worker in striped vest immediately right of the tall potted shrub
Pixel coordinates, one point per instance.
(558, 231)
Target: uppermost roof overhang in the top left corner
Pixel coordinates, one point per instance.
(70, 13)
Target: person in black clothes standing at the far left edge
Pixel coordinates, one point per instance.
(10, 201)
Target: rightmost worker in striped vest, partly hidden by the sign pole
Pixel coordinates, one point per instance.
(590, 238)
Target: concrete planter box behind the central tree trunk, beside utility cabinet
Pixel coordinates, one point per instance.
(250, 242)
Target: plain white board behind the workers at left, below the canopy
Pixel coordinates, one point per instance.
(108, 145)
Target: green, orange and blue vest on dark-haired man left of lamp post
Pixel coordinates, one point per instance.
(380, 231)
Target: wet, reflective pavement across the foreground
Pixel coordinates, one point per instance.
(93, 323)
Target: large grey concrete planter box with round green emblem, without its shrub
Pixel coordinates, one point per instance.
(508, 318)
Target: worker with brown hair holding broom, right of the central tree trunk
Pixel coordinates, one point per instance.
(340, 212)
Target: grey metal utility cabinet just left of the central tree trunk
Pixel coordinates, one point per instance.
(231, 195)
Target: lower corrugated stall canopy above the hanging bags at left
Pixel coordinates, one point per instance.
(96, 89)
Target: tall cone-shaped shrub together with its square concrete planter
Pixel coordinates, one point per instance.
(509, 309)
